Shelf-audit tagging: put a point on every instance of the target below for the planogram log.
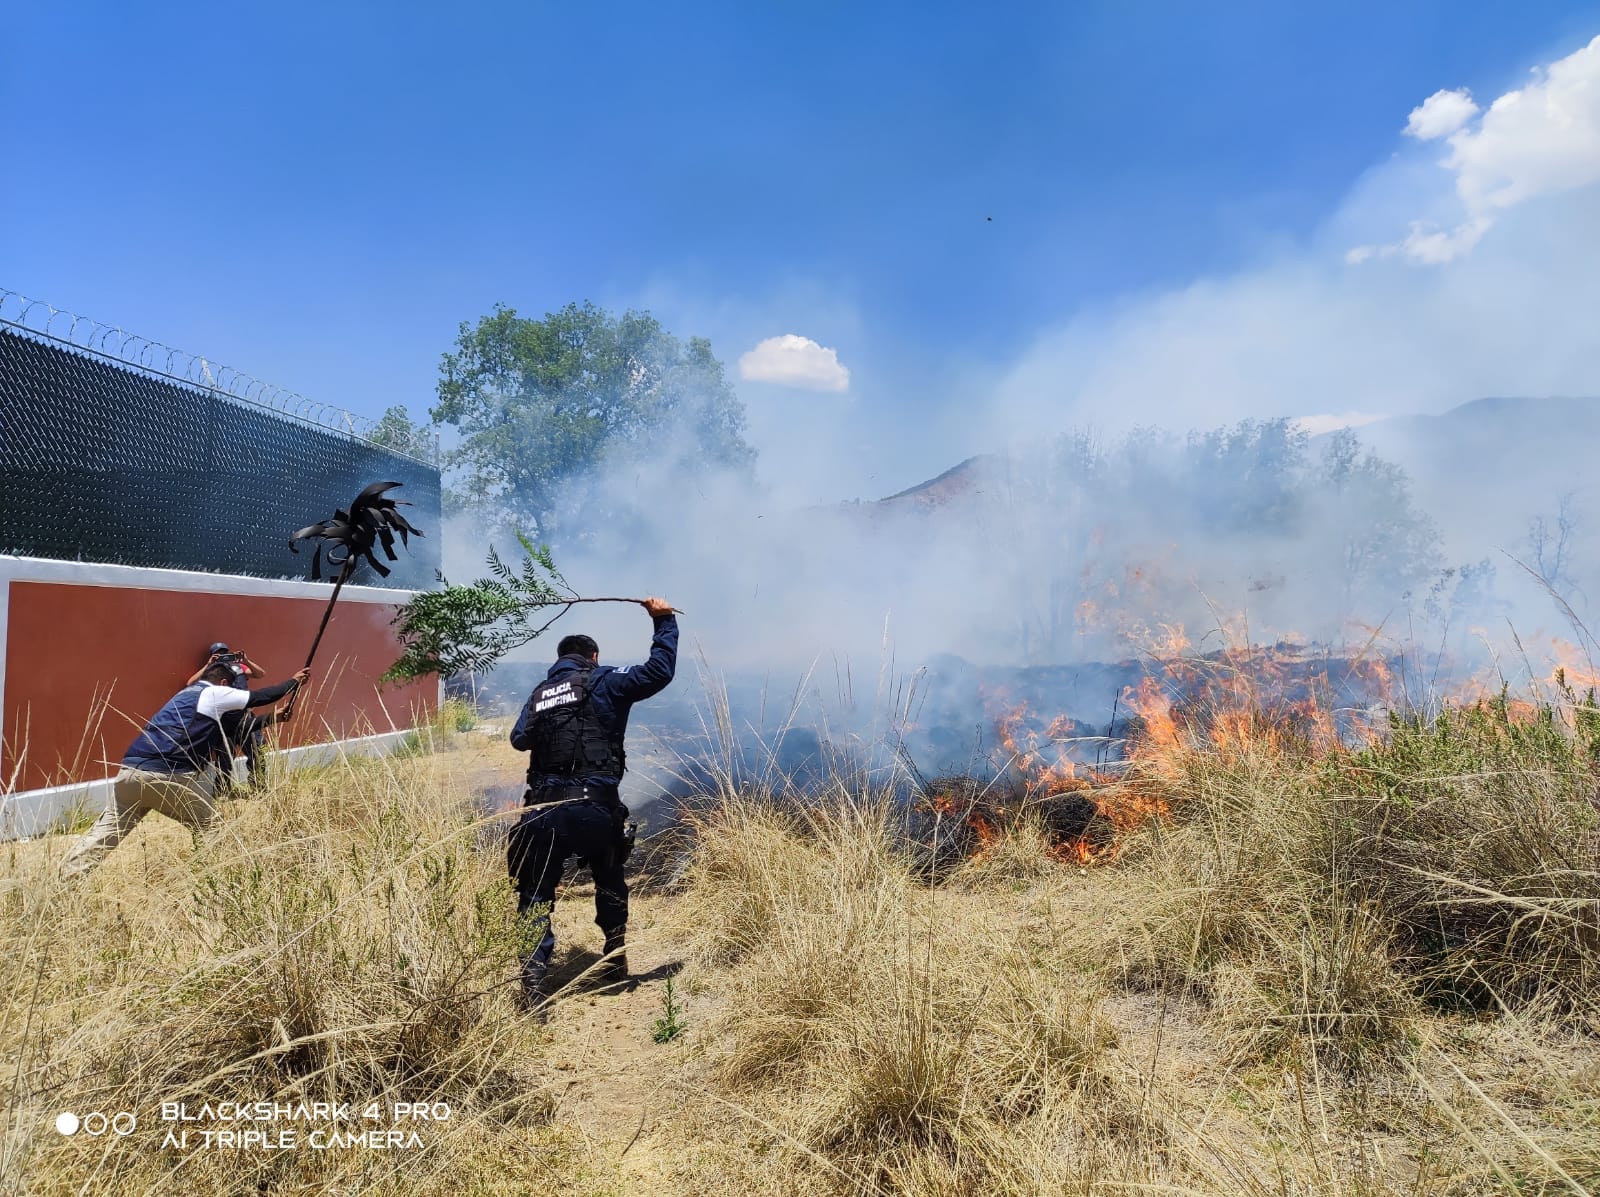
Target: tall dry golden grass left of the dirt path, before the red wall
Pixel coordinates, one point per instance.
(338, 942)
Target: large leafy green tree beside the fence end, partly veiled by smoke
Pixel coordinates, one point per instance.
(542, 402)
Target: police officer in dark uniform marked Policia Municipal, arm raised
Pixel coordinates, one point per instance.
(572, 731)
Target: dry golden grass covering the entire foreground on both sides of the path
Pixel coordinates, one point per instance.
(1233, 1006)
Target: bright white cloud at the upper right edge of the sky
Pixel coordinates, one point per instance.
(1537, 142)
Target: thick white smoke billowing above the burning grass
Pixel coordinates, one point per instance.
(1468, 265)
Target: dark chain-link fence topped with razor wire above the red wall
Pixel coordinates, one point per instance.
(111, 460)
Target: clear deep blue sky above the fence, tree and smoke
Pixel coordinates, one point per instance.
(319, 194)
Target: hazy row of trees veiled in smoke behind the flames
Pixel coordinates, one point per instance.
(1257, 521)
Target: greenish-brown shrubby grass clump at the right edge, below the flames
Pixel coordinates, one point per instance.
(1478, 835)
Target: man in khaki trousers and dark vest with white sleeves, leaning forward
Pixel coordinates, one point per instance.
(169, 766)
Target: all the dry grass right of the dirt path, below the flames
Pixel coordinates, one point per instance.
(1242, 1001)
